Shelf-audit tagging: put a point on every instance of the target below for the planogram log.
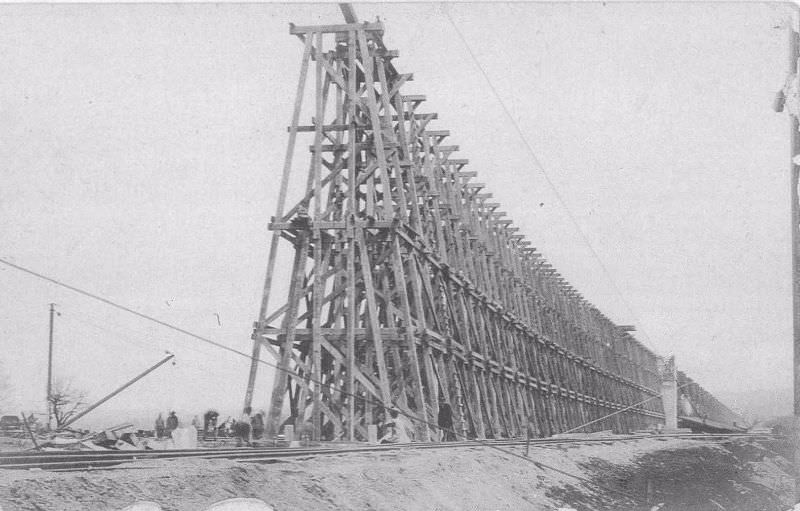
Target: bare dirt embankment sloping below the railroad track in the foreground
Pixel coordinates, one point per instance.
(681, 474)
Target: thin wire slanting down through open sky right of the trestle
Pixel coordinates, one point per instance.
(544, 172)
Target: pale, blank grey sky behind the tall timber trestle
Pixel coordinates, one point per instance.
(141, 147)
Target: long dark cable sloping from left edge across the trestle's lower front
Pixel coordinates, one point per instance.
(306, 377)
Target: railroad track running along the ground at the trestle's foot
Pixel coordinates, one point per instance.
(103, 460)
